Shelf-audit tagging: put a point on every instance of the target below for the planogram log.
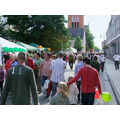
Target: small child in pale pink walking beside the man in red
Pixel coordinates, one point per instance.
(73, 92)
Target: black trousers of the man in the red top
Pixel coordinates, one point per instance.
(88, 98)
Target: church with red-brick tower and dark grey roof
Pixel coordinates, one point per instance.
(76, 28)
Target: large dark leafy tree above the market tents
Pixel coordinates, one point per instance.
(45, 30)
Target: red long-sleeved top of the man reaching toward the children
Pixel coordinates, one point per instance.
(89, 79)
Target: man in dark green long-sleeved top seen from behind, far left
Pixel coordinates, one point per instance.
(20, 82)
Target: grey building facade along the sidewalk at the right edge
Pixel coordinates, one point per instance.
(112, 42)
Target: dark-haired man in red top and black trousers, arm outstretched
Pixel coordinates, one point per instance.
(89, 82)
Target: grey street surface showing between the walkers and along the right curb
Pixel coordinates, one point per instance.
(105, 84)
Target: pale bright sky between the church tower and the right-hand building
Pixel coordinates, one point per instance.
(98, 25)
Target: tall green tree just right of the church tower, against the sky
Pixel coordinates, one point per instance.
(89, 40)
